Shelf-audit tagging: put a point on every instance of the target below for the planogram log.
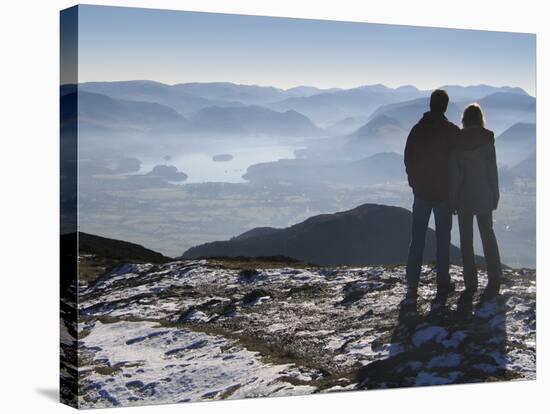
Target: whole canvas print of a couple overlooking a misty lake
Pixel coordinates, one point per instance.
(256, 207)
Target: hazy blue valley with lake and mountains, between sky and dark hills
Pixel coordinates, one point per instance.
(174, 166)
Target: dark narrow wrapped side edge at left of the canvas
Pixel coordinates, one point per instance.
(68, 207)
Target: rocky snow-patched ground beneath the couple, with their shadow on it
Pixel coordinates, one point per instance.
(198, 330)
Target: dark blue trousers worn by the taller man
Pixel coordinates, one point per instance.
(443, 222)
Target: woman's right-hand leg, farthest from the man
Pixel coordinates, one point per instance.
(490, 250)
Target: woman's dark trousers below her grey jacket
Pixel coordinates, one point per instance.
(490, 249)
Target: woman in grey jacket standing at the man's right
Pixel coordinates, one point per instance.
(473, 191)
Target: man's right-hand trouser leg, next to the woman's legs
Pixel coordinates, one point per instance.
(443, 225)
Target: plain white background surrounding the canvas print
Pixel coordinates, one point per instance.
(29, 204)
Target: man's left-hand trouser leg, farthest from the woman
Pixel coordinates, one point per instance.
(420, 218)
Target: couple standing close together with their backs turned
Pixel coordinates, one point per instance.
(453, 170)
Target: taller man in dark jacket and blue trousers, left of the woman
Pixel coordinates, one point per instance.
(426, 158)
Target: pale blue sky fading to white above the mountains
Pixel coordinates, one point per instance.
(118, 43)
